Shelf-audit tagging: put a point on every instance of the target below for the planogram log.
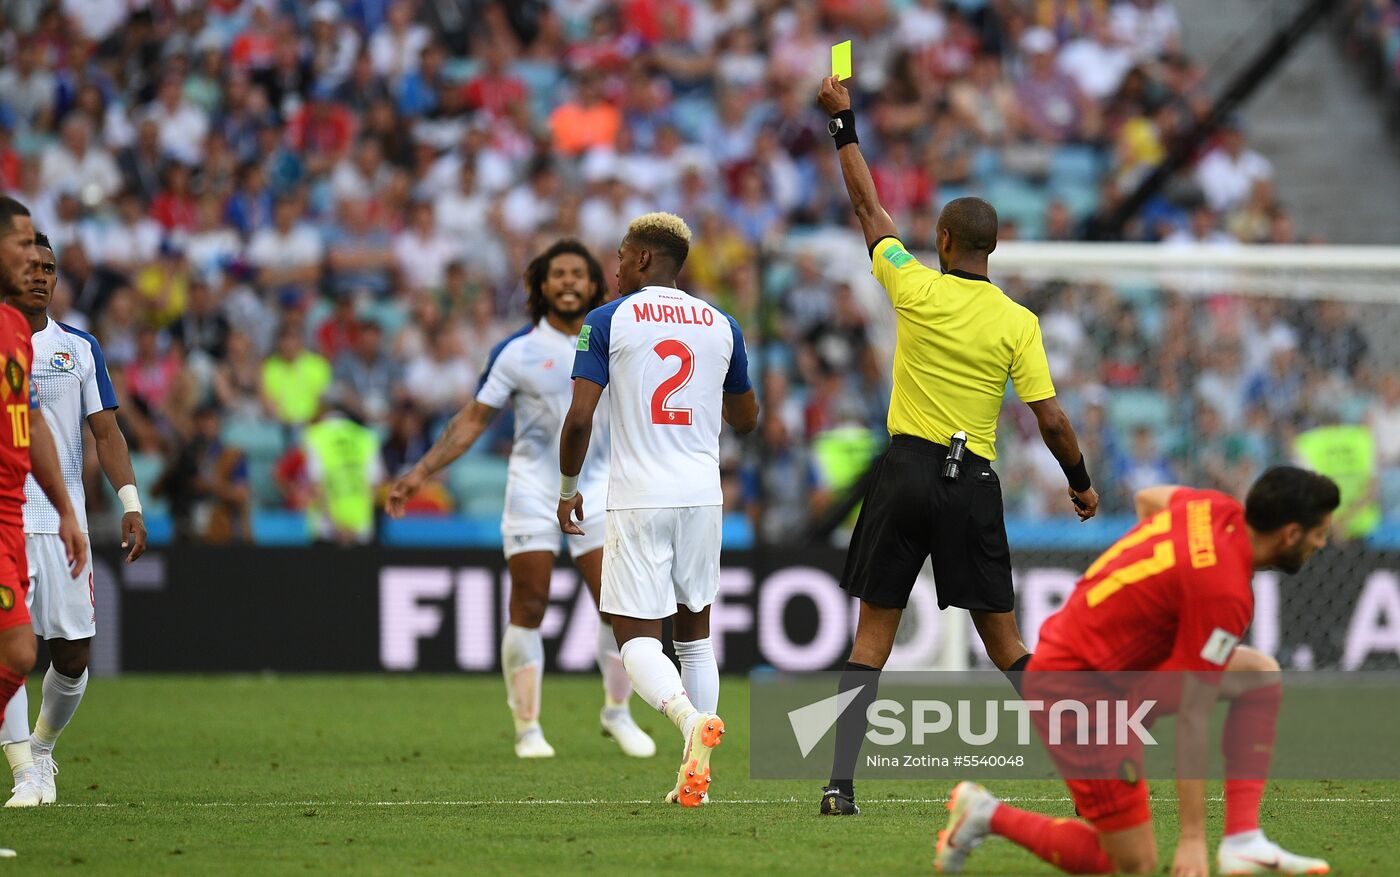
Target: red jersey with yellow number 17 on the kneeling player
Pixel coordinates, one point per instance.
(1175, 593)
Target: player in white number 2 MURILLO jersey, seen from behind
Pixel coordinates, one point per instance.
(674, 366)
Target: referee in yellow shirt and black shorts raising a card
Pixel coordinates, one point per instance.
(960, 338)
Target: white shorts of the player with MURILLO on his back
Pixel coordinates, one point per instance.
(657, 558)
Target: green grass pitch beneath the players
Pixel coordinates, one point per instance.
(415, 775)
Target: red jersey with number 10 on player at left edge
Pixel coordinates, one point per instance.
(17, 393)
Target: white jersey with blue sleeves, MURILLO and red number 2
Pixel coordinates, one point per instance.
(668, 359)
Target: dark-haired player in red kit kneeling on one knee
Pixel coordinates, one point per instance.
(1174, 595)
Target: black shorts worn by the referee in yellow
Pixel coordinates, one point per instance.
(912, 513)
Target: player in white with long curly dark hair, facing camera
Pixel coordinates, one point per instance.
(531, 369)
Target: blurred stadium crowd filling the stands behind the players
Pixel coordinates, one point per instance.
(268, 211)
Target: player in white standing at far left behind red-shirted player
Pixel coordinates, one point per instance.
(73, 386)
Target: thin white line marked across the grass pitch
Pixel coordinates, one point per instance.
(628, 802)
